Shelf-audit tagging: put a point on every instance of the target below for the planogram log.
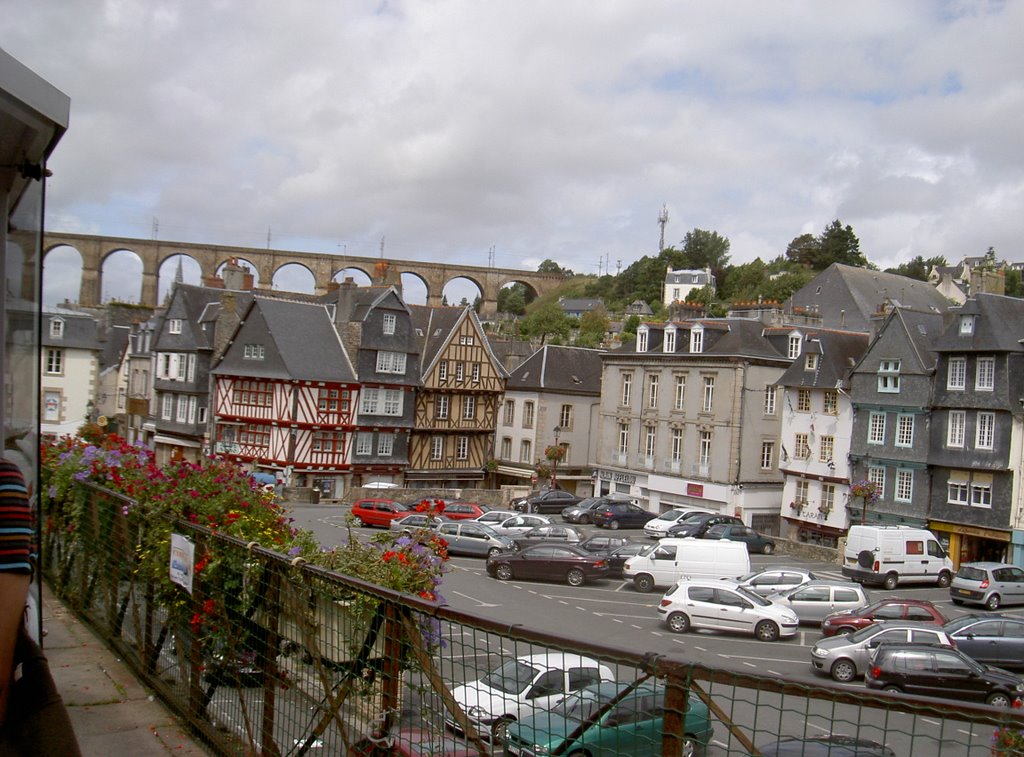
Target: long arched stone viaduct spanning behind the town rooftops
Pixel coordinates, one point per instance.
(323, 267)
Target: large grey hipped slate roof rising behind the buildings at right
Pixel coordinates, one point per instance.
(847, 297)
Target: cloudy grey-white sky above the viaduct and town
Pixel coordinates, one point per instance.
(445, 130)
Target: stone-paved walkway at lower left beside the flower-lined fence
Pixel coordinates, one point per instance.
(111, 711)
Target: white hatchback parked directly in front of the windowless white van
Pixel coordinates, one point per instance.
(724, 606)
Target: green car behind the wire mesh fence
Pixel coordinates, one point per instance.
(632, 727)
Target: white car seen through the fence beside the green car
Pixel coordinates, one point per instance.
(524, 687)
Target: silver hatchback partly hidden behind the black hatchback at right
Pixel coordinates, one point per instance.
(847, 657)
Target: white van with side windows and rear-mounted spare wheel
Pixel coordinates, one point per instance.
(889, 556)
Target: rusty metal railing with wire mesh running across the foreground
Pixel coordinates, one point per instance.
(307, 661)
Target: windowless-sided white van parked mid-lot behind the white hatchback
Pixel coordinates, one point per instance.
(673, 560)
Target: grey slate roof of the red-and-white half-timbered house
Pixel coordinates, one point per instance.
(301, 344)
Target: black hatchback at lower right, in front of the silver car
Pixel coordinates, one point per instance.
(931, 671)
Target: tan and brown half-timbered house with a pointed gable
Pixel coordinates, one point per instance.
(462, 384)
